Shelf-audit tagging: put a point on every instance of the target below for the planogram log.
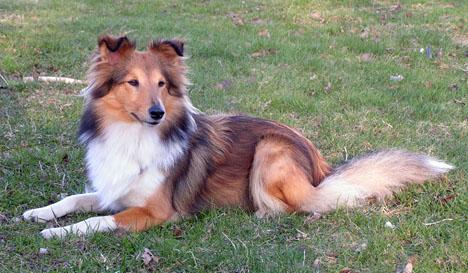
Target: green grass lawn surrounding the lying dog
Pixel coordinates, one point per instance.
(323, 67)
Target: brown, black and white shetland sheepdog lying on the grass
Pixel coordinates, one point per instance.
(151, 157)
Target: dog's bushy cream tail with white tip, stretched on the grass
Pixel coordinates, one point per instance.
(375, 176)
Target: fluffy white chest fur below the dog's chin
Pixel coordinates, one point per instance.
(127, 163)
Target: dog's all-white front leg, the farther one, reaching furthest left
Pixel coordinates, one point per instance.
(79, 202)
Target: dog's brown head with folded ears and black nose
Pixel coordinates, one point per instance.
(128, 85)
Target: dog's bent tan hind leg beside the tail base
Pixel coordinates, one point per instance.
(278, 184)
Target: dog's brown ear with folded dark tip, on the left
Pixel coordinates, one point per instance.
(114, 49)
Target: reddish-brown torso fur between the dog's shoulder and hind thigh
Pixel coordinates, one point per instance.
(229, 151)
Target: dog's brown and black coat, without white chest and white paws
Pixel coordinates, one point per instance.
(241, 161)
